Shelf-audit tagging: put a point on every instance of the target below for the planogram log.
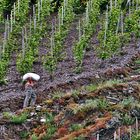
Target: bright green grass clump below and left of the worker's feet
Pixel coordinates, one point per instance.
(19, 119)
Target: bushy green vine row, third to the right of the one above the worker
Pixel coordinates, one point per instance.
(110, 45)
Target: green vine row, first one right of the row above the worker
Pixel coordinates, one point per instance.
(57, 51)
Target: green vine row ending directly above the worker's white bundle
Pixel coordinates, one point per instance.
(25, 64)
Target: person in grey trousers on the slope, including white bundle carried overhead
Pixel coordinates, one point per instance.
(30, 81)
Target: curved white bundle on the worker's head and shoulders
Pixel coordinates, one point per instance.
(34, 76)
